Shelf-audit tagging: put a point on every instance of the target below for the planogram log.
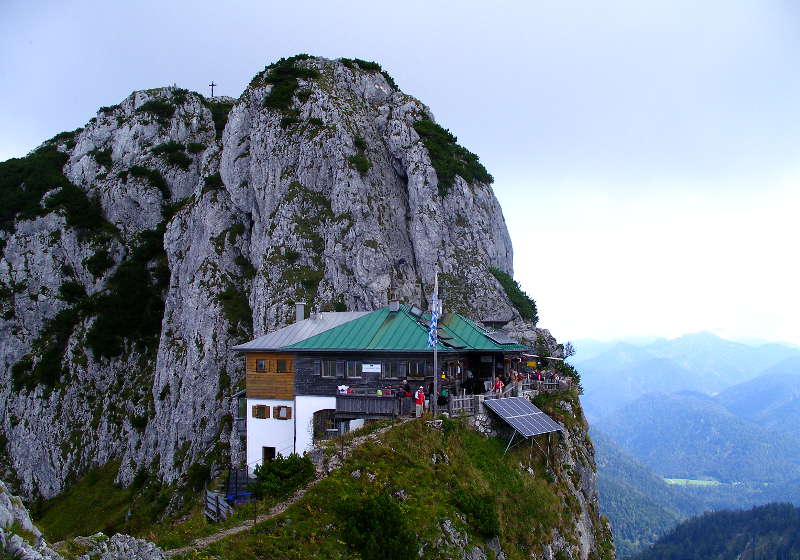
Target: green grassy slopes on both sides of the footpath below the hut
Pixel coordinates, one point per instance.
(529, 507)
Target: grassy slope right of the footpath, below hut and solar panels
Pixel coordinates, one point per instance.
(529, 507)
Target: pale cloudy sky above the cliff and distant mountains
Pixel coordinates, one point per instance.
(646, 154)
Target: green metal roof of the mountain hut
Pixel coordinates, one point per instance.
(402, 331)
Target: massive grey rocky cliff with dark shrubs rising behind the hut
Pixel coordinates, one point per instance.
(137, 250)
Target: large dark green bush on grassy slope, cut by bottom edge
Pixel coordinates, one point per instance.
(376, 528)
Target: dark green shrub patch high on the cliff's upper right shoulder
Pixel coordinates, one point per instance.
(448, 158)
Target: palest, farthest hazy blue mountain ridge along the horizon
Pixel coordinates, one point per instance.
(616, 373)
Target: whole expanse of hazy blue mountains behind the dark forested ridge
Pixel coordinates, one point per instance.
(697, 407)
